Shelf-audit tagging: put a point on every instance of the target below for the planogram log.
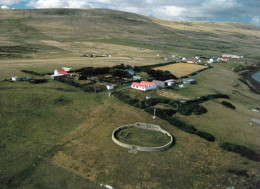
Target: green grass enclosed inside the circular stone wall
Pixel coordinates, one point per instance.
(142, 137)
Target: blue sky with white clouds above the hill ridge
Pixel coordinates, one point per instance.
(247, 11)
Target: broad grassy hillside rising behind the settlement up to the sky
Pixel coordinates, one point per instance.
(108, 26)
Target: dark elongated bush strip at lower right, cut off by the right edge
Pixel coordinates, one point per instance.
(242, 150)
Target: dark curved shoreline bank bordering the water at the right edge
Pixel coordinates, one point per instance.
(249, 81)
